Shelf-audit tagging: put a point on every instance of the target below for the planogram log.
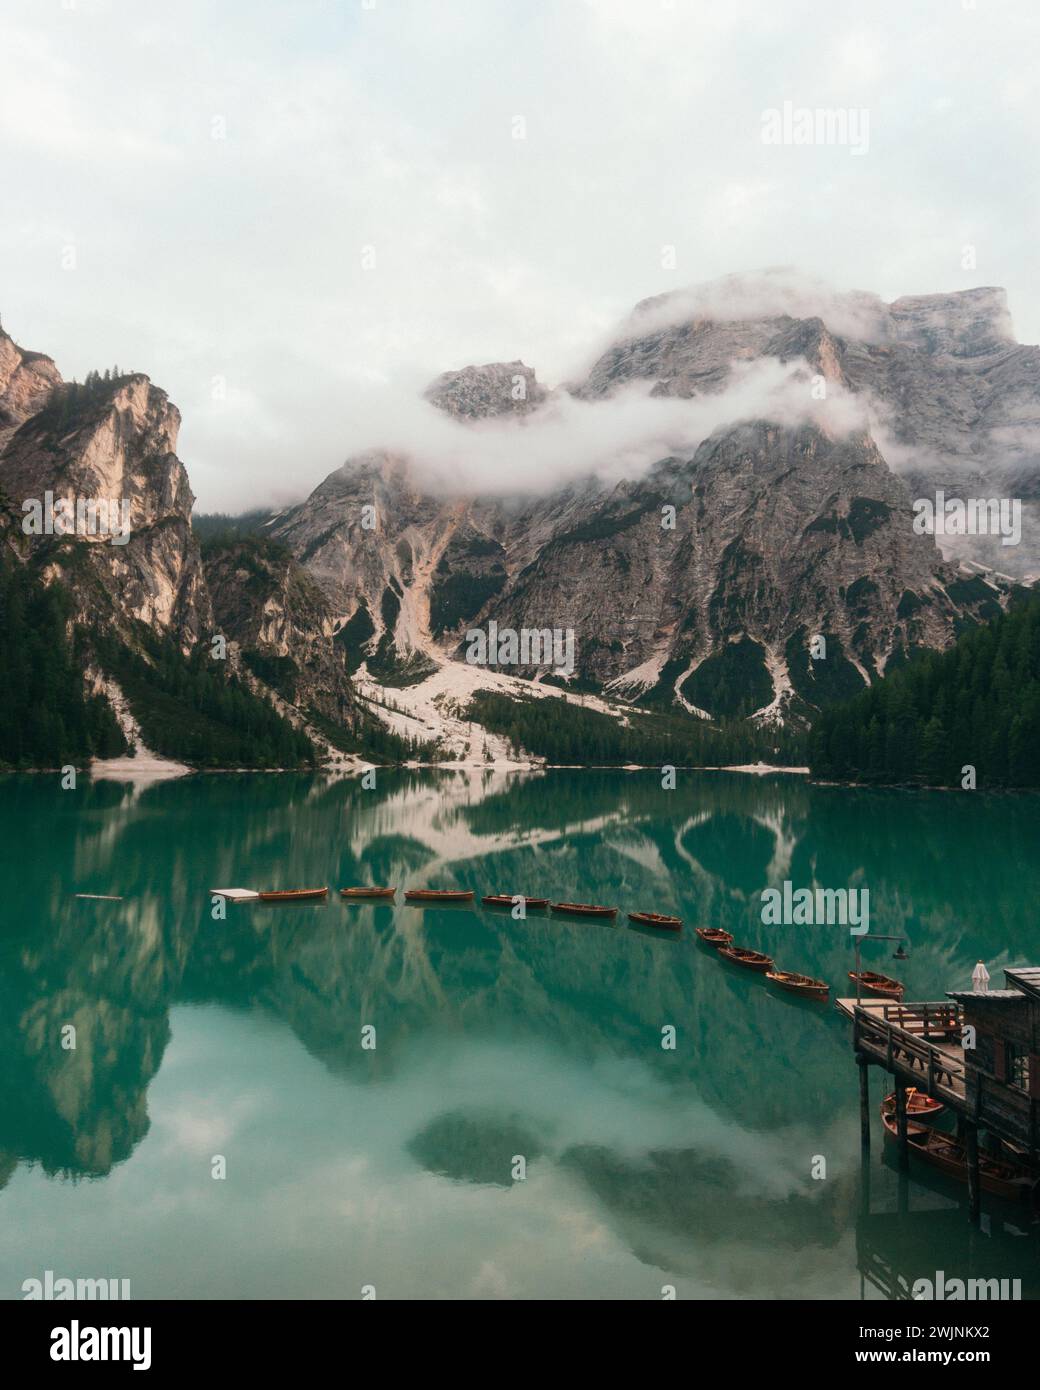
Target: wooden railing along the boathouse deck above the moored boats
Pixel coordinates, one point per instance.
(902, 1038)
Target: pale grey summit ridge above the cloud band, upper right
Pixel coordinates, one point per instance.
(954, 398)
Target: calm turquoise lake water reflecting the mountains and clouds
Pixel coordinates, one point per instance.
(394, 1167)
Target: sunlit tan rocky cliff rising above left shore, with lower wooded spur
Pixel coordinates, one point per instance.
(95, 501)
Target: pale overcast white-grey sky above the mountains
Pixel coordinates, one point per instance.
(315, 202)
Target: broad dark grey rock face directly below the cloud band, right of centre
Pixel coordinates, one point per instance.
(781, 534)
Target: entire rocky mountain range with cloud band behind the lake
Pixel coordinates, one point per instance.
(729, 536)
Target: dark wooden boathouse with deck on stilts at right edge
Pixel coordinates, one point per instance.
(975, 1052)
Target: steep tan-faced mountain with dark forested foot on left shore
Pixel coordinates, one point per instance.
(108, 614)
